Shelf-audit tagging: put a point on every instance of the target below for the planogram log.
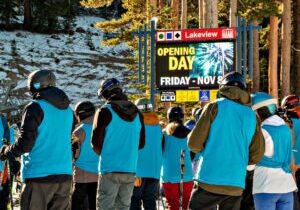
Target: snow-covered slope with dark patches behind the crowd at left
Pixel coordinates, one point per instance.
(79, 61)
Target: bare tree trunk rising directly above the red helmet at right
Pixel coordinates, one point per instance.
(286, 48)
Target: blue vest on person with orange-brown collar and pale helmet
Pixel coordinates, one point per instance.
(150, 157)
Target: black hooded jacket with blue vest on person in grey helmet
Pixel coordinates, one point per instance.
(47, 121)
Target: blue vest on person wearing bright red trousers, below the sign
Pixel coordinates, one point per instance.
(171, 160)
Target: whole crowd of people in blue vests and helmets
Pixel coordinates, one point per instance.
(239, 152)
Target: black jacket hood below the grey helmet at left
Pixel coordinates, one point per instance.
(54, 96)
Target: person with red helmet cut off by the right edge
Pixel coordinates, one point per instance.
(291, 106)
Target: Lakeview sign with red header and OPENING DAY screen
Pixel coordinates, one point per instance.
(194, 58)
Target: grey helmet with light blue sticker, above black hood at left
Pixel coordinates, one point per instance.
(40, 79)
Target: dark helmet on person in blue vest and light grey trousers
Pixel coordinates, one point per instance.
(109, 87)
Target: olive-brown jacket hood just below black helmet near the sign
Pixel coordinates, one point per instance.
(236, 94)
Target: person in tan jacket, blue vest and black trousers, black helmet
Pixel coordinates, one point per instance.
(85, 172)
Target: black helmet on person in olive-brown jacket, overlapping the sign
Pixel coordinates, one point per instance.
(234, 79)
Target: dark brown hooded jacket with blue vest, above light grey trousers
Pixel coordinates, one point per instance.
(118, 133)
